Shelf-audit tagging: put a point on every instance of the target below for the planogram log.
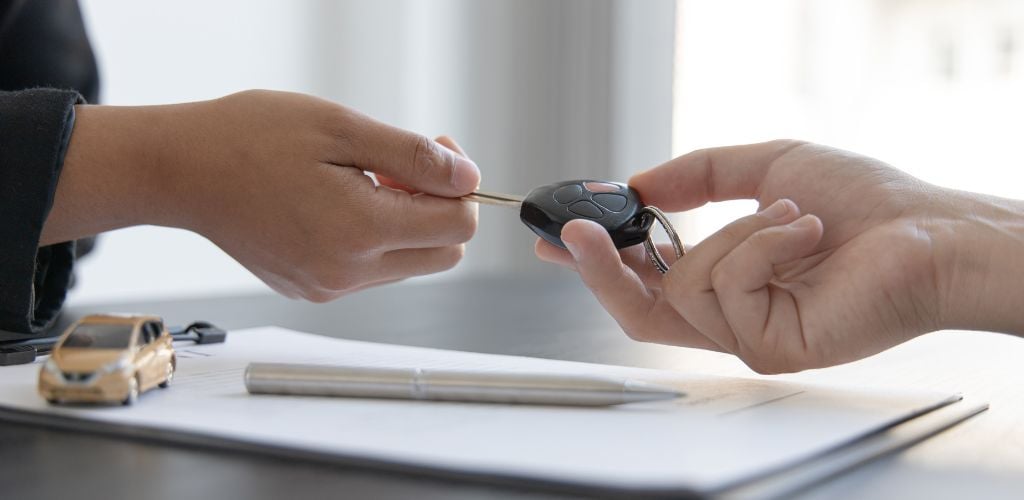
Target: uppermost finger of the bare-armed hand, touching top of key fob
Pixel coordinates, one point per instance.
(714, 175)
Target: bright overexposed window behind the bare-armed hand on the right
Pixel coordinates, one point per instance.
(935, 89)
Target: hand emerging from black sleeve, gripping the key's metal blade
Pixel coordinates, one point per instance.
(278, 181)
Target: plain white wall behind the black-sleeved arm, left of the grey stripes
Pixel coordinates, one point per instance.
(155, 53)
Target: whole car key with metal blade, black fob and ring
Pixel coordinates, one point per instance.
(615, 206)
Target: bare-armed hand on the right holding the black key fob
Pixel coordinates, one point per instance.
(878, 259)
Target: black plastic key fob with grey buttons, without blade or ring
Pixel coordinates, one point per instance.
(614, 205)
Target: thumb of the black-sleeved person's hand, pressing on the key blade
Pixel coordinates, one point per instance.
(415, 161)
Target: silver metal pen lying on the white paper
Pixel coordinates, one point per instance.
(416, 384)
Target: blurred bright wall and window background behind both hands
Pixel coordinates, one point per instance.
(538, 92)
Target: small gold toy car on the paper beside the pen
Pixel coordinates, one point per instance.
(109, 359)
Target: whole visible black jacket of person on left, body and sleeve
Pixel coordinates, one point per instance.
(47, 66)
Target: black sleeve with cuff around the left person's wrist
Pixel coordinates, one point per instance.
(35, 130)
